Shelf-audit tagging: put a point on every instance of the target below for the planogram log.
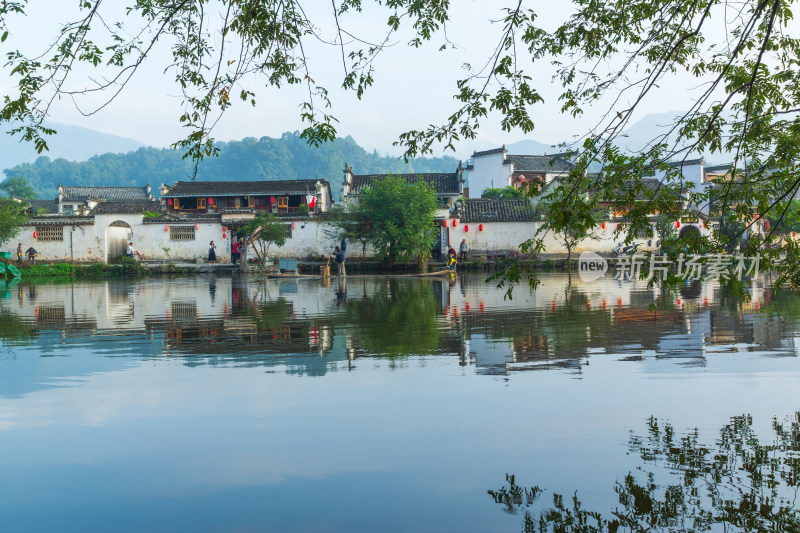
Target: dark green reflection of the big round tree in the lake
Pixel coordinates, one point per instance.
(399, 319)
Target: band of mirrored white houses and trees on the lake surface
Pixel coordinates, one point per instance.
(309, 328)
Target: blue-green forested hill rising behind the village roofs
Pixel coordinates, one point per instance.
(288, 157)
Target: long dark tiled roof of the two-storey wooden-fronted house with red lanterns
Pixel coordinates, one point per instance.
(242, 188)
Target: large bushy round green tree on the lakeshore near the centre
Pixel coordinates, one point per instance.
(401, 217)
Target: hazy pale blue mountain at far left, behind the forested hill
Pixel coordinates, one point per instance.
(70, 142)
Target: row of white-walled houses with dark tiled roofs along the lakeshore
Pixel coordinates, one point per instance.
(87, 224)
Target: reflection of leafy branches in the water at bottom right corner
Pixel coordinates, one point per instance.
(738, 484)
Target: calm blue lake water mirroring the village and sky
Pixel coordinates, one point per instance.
(389, 404)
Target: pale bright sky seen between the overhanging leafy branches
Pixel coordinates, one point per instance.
(413, 87)
